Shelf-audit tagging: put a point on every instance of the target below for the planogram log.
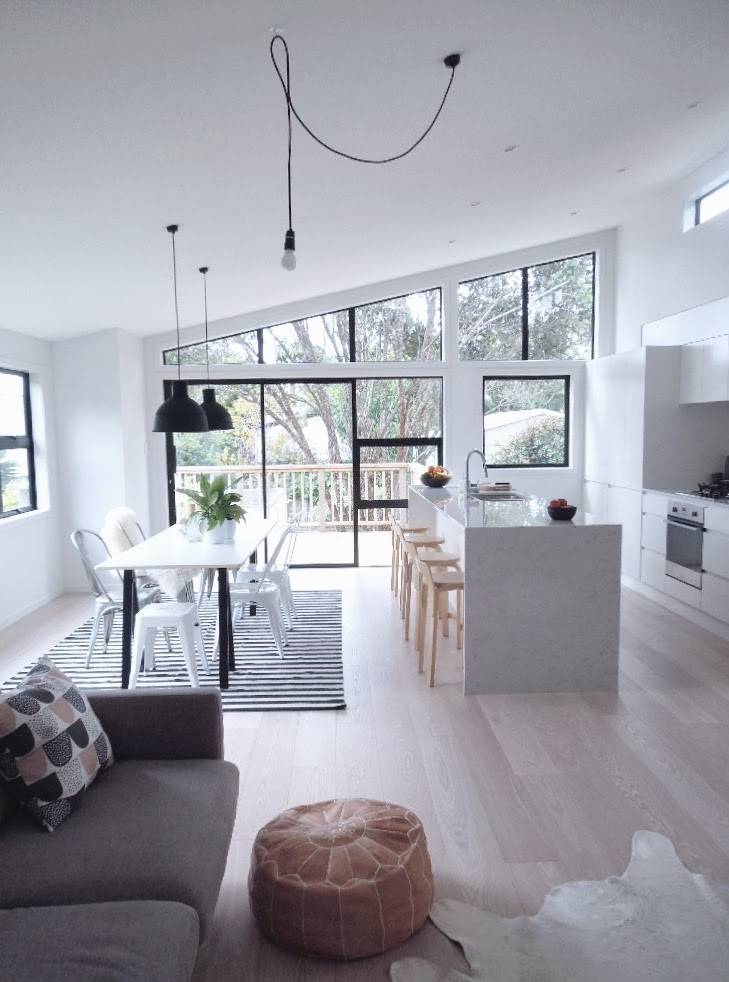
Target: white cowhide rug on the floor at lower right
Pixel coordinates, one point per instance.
(656, 923)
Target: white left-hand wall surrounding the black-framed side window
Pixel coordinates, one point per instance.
(30, 565)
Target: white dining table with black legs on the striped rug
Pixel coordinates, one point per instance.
(171, 550)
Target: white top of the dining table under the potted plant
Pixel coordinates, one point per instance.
(171, 550)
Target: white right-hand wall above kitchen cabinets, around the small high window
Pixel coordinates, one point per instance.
(663, 269)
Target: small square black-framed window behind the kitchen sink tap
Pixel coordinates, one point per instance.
(526, 420)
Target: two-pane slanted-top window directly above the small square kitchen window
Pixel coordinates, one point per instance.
(546, 311)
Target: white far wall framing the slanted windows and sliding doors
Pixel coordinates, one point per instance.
(462, 381)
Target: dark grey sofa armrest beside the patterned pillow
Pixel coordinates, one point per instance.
(161, 724)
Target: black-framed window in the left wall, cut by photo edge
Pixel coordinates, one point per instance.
(17, 468)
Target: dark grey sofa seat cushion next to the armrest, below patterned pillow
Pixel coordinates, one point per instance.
(148, 830)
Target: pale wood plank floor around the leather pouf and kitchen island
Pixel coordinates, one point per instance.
(517, 793)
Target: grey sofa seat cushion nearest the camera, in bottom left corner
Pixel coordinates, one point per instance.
(143, 941)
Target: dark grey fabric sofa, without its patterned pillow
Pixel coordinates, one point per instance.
(126, 888)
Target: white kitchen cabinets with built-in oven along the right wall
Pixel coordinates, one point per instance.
(657, 439)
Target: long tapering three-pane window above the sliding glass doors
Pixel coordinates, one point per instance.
(401, 329)
